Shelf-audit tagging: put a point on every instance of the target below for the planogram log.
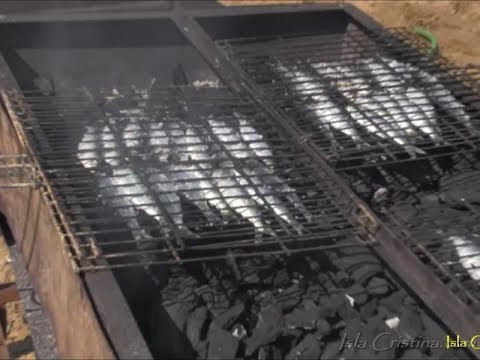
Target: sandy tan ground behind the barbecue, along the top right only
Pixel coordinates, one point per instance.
(455, 23)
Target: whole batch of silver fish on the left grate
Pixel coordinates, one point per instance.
(147, 162)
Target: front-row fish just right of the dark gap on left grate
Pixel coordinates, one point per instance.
(238, 198)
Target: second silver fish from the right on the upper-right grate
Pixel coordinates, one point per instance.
(414, 106)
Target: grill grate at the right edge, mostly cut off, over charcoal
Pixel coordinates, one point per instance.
(449, 241)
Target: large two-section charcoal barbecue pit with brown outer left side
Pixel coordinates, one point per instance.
(180, 190)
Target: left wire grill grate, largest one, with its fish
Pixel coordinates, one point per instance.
(178, 174)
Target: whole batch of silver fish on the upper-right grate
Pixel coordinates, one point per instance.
(391, 100)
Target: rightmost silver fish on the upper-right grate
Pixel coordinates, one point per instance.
(444, 97)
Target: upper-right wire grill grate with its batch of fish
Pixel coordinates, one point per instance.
(365, 99)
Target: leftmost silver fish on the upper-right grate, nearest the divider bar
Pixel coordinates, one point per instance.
(325, 110)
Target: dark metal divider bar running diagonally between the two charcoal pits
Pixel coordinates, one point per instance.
(424, 284)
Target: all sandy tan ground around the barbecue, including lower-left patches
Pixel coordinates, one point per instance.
(455, 23)
